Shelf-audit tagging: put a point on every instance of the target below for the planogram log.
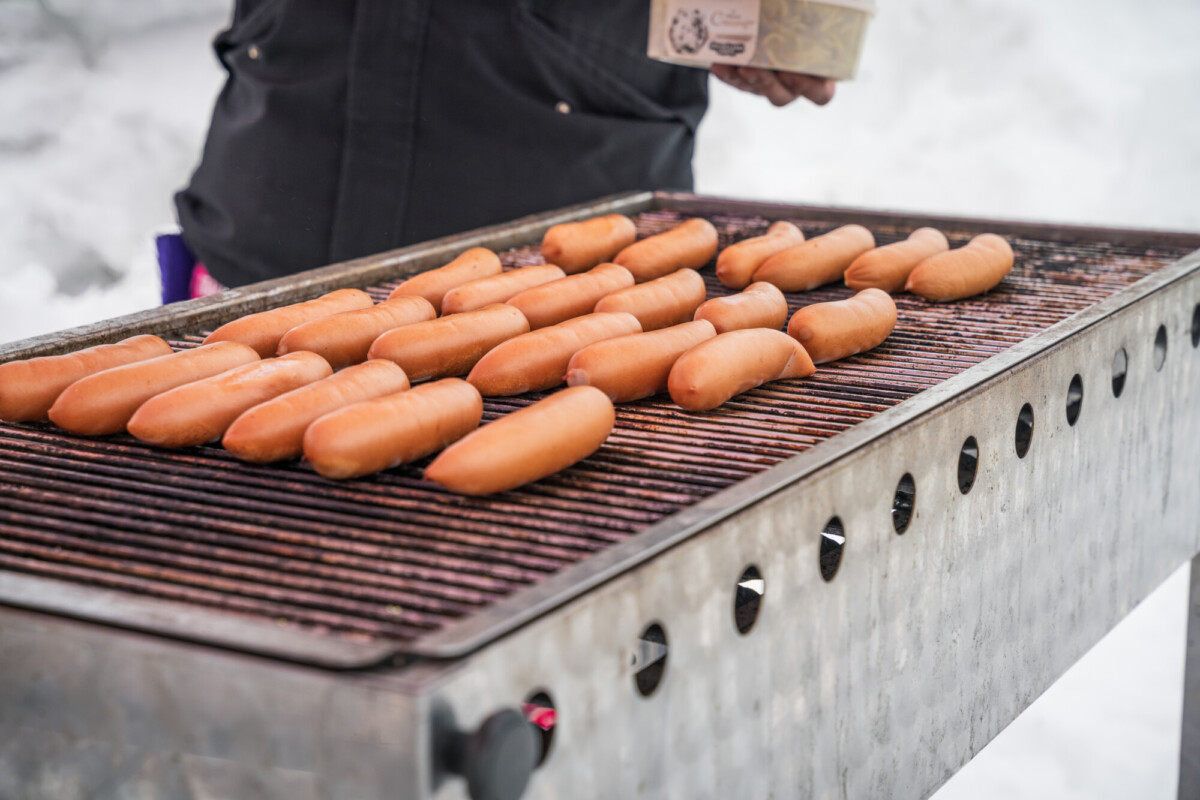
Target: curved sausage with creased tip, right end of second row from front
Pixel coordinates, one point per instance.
(735, 363)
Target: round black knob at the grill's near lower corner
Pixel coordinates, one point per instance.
(497, 760)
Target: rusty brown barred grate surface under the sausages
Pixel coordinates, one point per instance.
(393, 557)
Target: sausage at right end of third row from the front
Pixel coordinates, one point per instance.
(836, 330)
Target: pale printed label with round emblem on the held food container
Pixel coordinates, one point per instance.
(724, 32)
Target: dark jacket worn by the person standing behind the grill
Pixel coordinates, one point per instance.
(350, 128)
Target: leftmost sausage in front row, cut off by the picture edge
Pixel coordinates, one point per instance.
(28, 389)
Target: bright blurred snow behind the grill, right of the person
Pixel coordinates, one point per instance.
(1069, 111)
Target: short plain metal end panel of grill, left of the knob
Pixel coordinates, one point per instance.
(92, 714)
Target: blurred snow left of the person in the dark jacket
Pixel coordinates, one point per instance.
(103, 115)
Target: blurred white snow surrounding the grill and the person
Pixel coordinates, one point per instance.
(1078, 111)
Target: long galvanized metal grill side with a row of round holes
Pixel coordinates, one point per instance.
(925, 646)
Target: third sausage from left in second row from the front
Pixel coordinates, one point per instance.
(449, 346)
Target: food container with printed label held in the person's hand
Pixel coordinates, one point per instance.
(815, 38)
